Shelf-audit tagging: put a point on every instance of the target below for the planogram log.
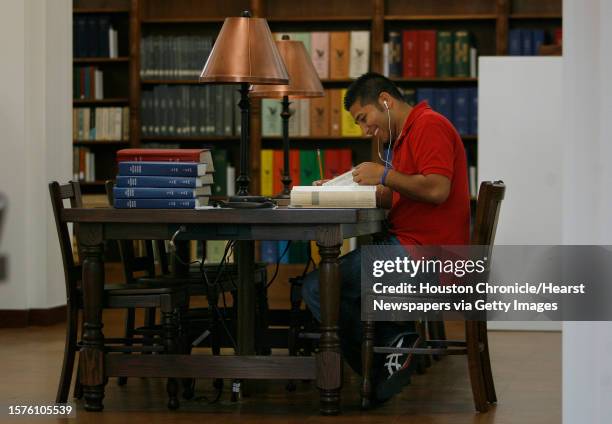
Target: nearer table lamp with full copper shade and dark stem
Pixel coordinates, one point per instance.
(244, 53)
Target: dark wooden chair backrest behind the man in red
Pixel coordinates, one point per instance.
(490, 196)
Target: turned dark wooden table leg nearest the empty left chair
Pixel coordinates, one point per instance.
(91, 364)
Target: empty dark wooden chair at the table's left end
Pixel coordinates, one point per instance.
(171, 299)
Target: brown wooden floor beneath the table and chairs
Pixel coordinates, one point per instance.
(527, 368)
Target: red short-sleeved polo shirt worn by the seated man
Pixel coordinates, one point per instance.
(429, 144)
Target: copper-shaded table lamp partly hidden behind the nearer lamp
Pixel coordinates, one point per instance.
(304, 82)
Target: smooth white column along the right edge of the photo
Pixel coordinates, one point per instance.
(587, 201)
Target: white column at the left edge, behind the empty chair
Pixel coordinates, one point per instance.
(36, 146)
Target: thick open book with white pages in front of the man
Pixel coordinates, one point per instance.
(340, 192)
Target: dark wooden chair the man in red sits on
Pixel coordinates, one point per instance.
(475, 345)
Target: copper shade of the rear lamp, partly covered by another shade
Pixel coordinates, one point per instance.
(304, 81)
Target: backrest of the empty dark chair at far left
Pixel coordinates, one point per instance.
(72, 271)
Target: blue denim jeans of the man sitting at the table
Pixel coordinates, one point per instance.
(350, 325)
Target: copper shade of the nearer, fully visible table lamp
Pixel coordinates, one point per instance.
(244, 52)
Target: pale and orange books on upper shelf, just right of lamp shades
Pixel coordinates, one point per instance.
(336, 55)
